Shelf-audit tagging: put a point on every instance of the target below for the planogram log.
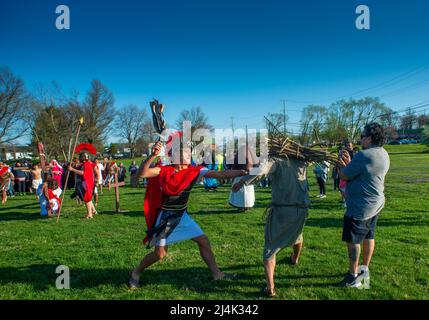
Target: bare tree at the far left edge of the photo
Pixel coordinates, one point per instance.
(13, 105)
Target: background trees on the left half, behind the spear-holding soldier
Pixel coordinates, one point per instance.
(50, 116)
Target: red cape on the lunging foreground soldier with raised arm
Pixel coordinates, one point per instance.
(169, 183)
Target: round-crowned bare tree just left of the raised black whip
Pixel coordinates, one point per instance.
(131, 123)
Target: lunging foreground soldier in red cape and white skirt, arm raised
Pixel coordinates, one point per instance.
(165, 208)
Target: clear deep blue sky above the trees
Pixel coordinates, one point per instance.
(233, 58)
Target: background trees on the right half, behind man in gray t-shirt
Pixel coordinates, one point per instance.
(344, 119)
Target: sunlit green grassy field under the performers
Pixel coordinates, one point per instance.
(101, 252)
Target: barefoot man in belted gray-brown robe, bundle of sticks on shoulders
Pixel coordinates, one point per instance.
(287, 212)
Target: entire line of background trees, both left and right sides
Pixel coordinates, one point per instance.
(50, 116)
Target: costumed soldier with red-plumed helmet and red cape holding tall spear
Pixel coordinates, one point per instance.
(86, 175)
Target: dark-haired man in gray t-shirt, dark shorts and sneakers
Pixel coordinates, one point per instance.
(365, 199)
